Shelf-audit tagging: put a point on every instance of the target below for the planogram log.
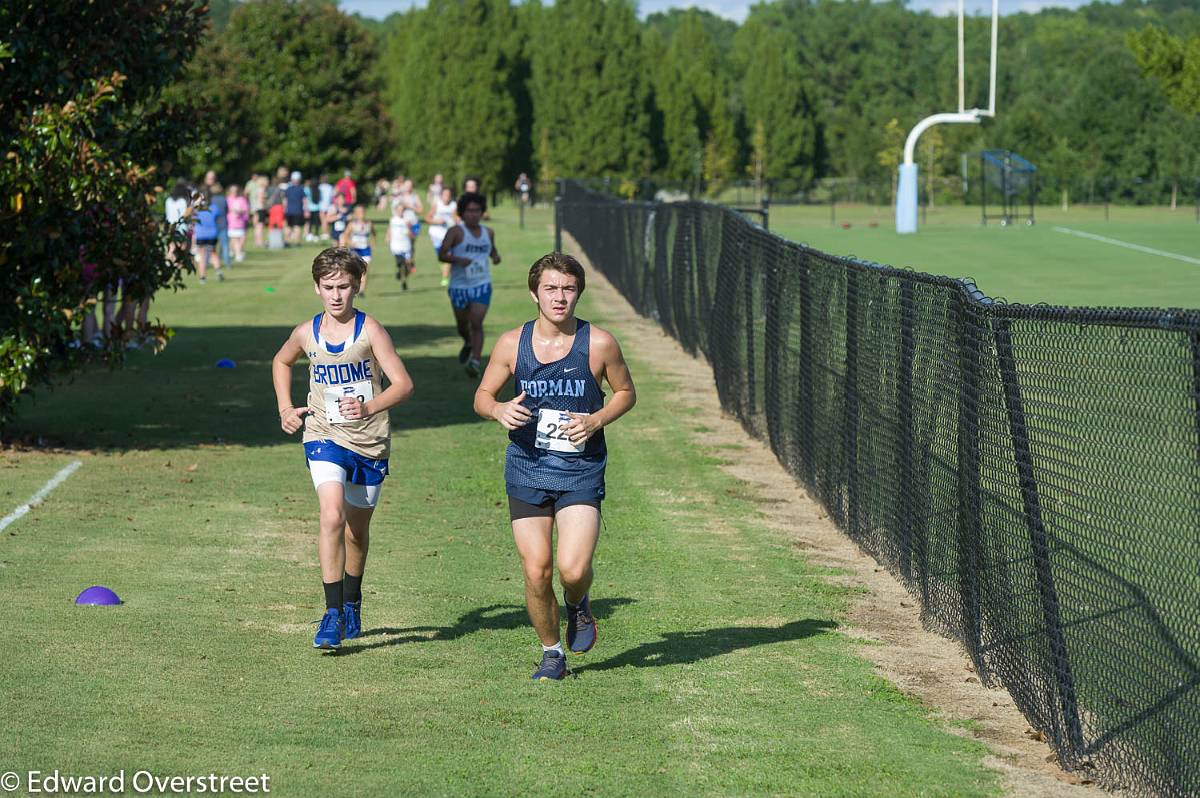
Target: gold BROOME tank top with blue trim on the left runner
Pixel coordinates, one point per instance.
(345, 370)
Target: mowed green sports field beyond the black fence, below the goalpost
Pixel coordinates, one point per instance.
(1022, 263)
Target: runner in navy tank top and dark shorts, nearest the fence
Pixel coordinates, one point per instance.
(554, 470)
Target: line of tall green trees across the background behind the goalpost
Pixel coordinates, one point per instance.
(801, 91)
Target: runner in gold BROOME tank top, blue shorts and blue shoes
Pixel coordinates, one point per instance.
(347, 439)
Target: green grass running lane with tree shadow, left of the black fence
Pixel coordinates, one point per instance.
(722, 668)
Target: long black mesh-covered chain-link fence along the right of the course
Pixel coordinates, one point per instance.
(1031, 475)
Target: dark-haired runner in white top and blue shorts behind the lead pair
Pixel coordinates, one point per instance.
(471, 249)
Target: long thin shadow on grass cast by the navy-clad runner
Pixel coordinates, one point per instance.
(688, 647)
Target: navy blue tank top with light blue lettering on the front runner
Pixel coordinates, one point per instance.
(568, 386)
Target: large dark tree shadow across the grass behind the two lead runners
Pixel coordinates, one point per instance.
(181, 399)
